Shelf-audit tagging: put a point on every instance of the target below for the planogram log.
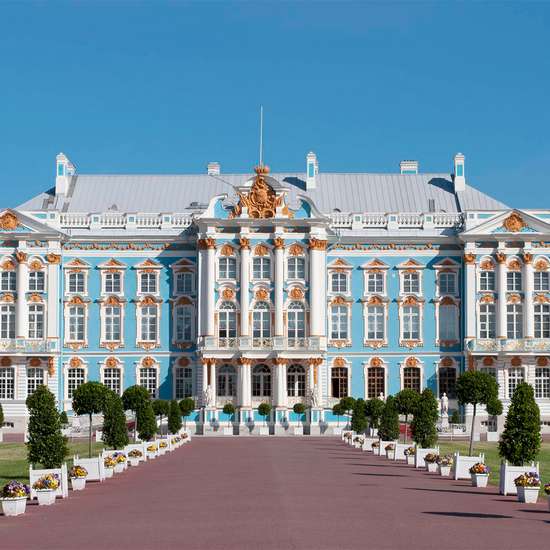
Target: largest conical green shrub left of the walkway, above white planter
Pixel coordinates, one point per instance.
(46, 444)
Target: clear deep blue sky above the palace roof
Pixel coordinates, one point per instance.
(168, 86)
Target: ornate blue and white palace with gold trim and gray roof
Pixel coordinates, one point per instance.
(271, 287)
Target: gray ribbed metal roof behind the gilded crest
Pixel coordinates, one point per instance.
(345, 192)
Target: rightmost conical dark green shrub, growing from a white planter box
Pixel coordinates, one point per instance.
(520, 441)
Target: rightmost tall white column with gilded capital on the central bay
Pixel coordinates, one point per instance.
(317, 285)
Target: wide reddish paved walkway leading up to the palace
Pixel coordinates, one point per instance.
(256, 493)
